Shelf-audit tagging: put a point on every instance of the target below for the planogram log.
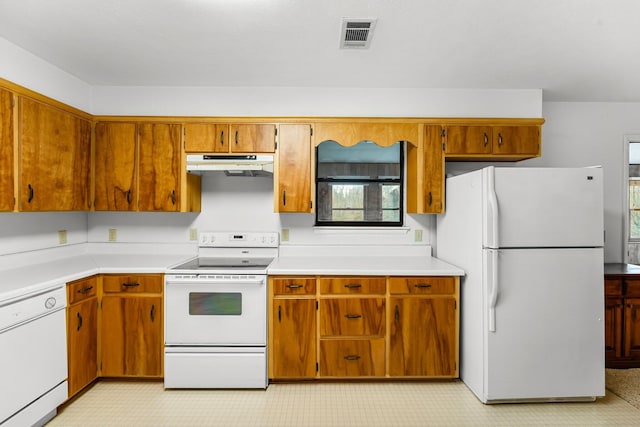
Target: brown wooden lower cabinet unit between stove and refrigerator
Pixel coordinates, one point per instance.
(363, 327)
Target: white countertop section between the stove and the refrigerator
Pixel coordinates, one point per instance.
(358, 265)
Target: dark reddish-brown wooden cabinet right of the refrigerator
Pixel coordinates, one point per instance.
(622, 320)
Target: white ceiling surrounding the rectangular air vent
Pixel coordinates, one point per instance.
(575, 50)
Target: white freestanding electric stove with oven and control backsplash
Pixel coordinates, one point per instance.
(216, 313)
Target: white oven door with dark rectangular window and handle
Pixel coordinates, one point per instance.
(215, 311)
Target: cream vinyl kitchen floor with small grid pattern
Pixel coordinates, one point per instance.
(445, 403)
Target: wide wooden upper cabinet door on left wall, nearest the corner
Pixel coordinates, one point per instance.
(55, 154)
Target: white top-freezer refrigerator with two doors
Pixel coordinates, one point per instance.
(532, 301)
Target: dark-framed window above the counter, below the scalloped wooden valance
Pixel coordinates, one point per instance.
(359, 185)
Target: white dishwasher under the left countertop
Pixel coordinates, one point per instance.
(33, 357)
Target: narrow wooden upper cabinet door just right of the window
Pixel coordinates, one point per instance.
(434, 170)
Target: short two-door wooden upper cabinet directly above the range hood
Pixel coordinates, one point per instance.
(230, 138)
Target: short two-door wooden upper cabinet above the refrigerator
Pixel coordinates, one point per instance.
(492, 143)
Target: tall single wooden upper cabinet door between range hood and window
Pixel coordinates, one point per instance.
(294, 169)
